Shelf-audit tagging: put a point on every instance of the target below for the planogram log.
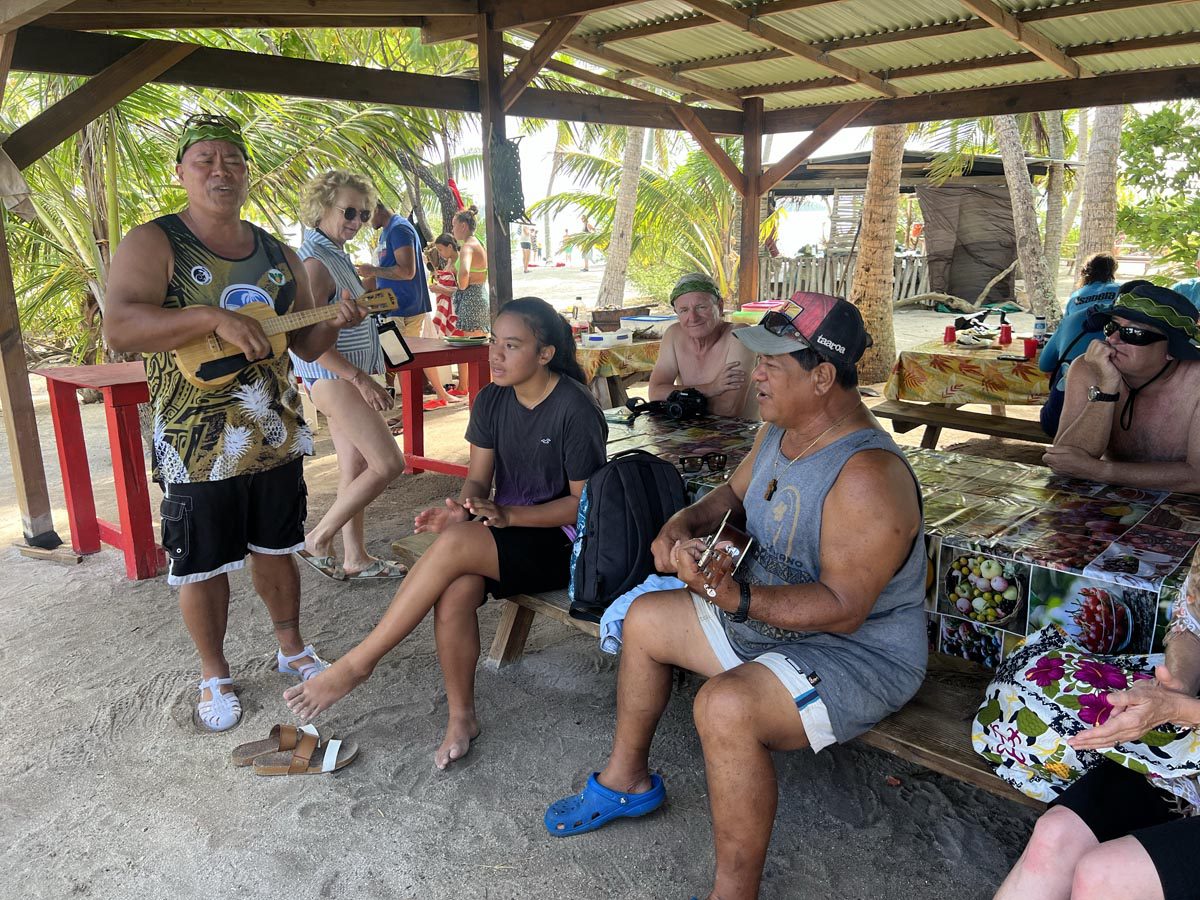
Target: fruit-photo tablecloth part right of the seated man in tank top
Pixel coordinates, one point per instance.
(1015, 548)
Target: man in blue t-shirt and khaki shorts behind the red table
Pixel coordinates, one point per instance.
(400, 266)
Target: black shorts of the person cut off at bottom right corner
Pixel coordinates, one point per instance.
(1115, 802)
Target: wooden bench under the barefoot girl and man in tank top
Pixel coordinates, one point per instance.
(933, 730)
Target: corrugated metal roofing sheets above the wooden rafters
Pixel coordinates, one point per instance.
(965, 40)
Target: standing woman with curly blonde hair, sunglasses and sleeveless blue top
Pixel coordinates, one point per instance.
(334, 207)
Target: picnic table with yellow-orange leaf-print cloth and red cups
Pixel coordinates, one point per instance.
(932, 381)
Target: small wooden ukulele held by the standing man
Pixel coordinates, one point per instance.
(211, 362)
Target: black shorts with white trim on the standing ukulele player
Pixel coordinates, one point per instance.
(208, 527)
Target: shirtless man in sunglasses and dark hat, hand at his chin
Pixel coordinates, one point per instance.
(1131, 409)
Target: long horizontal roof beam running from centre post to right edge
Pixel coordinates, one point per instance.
(1142, 87)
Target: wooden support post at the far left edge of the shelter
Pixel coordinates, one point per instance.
(21, 423)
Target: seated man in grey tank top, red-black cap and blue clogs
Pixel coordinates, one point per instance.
(821, 632)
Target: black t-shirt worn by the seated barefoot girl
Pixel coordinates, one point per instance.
(539, 451)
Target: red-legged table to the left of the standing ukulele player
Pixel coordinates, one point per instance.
(124, 386)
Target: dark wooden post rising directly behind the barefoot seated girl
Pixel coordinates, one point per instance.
(491, 82)
